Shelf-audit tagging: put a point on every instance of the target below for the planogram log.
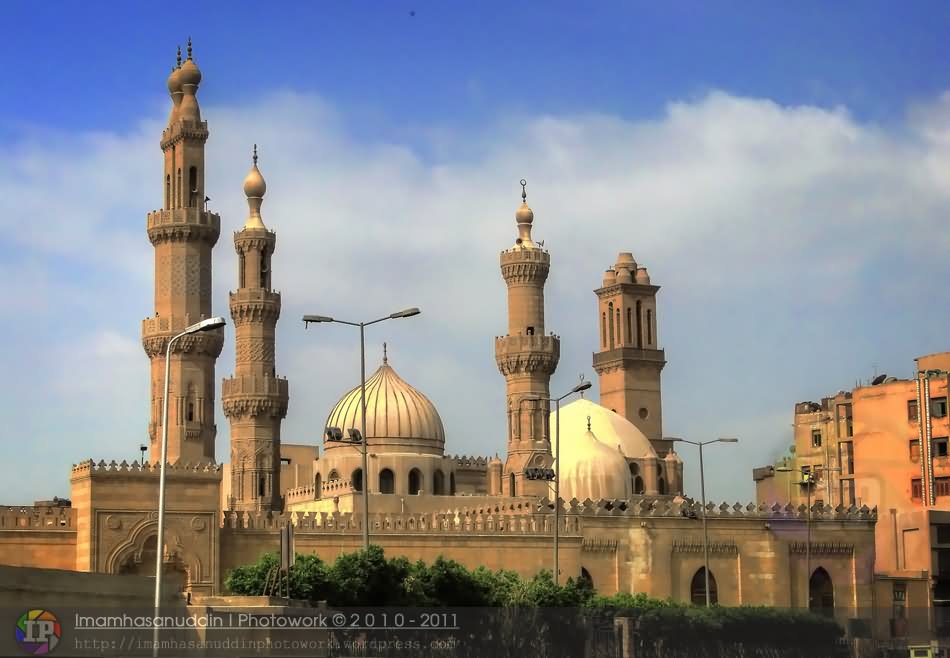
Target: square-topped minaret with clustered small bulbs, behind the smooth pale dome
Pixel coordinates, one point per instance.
(629, 361)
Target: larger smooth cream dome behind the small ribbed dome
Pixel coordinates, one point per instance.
(609, 427)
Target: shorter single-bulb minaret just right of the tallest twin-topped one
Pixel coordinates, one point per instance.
(255, 400)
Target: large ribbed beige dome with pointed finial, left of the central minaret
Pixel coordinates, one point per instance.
(397, 415)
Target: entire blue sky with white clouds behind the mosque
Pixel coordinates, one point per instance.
(783, 172)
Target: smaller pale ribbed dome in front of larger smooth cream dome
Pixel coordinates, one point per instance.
(591, 469)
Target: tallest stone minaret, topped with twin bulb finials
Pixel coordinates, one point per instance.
(183, 233)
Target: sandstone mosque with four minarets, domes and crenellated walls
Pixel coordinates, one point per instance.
(624, 523)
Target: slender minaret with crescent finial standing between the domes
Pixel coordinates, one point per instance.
(527, 358)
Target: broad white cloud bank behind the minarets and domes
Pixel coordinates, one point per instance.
(770, 228)
